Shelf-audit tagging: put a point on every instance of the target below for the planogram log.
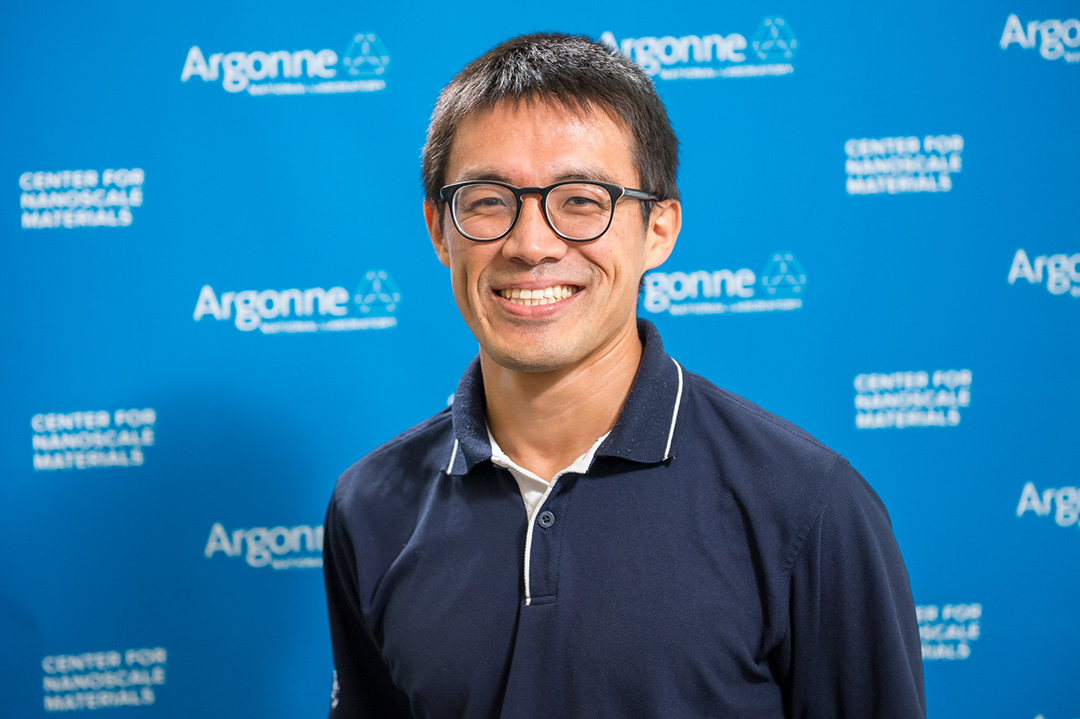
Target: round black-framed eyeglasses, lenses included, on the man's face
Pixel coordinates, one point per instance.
(580, 212)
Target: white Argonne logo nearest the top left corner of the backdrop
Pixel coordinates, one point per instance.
(300, 73)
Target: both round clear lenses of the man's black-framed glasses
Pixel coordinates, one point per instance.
(579, 211)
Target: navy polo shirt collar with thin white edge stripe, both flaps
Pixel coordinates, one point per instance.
(646, 431)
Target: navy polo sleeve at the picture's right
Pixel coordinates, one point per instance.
(853, 648)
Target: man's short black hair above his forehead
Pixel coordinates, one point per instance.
(574, 71)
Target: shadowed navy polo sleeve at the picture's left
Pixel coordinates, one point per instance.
(363, 687)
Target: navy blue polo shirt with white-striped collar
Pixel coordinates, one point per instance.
(713, 562)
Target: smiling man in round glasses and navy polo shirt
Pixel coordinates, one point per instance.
(592, 531)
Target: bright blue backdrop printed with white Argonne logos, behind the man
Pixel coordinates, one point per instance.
(220, 294)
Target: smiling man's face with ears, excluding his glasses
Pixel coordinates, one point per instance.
(535, 145)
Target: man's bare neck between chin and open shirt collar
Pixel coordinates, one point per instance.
(544, 422)
